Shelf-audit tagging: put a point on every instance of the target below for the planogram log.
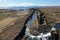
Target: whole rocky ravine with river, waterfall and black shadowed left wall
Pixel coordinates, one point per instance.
(36, 28)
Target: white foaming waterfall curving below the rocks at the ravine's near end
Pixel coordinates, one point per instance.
(41, 36)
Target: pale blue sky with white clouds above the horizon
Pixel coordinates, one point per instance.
(13, 3)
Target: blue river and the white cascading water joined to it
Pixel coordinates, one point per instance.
(40, 36)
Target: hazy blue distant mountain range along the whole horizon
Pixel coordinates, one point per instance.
(28, 7)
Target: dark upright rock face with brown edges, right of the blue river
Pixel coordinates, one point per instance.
(41, 18)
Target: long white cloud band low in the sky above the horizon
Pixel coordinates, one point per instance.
(22, 4)
